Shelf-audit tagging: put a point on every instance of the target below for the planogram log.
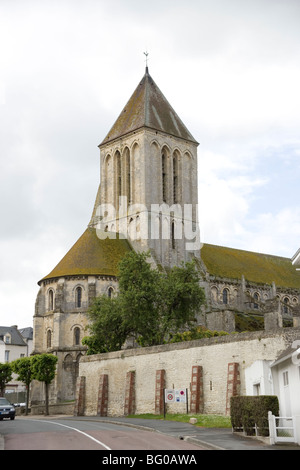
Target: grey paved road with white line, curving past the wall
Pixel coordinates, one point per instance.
(75, 434)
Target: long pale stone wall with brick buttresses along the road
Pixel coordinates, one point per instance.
(211, 369)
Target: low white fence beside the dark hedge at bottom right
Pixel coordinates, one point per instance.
(284, 429)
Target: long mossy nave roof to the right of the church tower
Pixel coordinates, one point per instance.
(255, 267)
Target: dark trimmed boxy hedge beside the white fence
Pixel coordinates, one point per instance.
(248, 411)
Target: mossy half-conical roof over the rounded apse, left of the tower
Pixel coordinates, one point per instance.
(91, 255)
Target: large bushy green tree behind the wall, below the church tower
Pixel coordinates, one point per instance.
(151, 305)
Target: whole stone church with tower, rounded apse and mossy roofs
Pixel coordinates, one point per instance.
(147, 200)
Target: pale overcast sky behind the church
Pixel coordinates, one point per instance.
(229, 68)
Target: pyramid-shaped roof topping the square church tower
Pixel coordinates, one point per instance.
(148, 107)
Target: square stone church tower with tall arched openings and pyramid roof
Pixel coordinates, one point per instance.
(148, 189)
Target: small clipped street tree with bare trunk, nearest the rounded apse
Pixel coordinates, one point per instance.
(43, 368)
